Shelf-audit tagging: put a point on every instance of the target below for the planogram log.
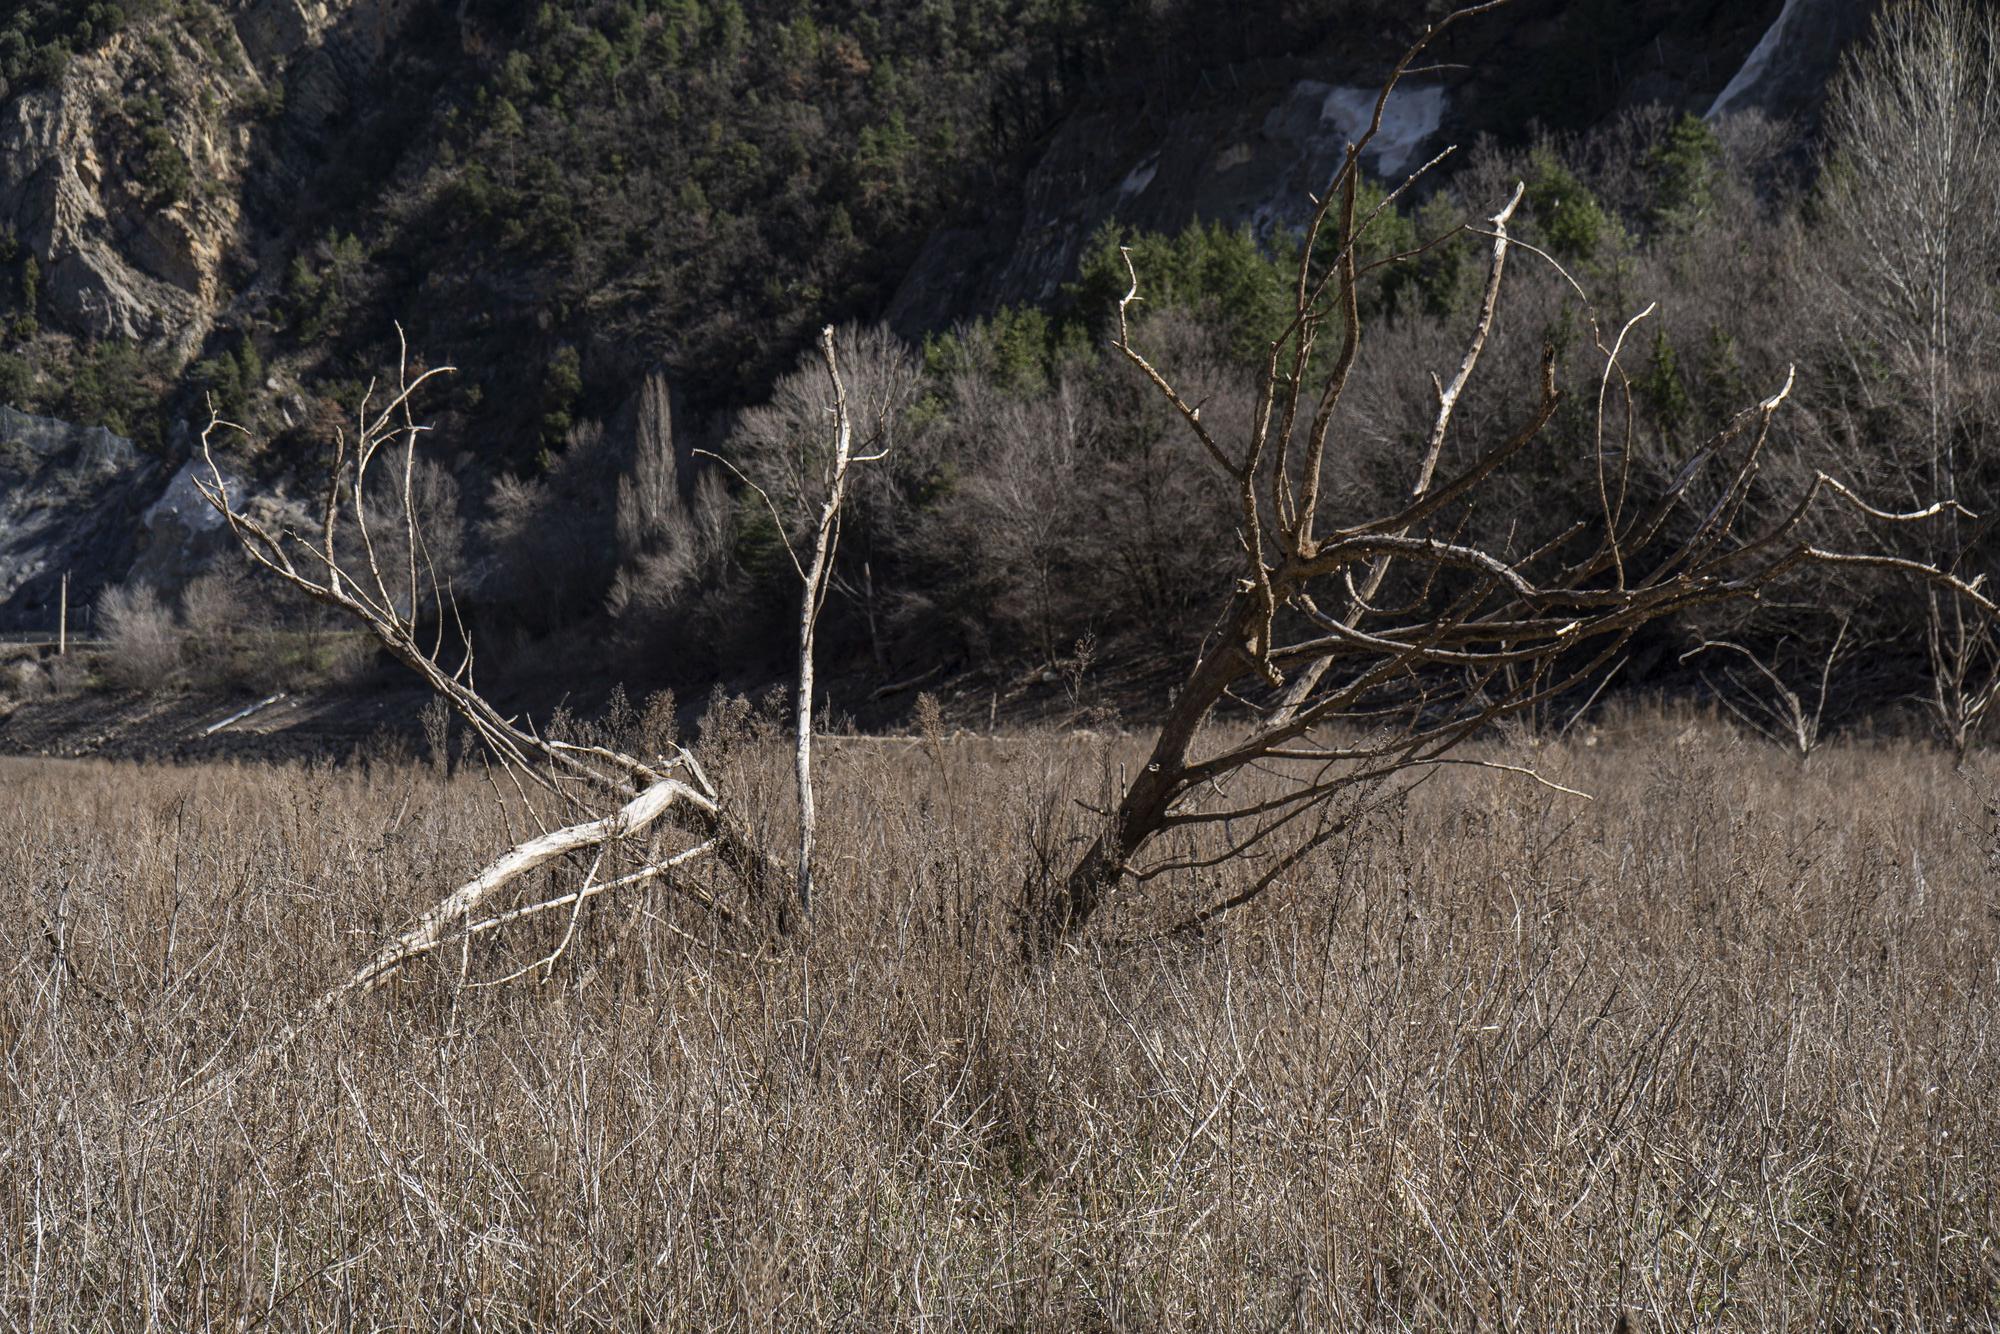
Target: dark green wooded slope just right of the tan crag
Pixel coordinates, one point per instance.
(563, 197)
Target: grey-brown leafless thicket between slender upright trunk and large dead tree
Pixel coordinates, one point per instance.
(1073, 505)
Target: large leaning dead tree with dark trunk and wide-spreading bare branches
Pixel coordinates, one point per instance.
(1381, 645)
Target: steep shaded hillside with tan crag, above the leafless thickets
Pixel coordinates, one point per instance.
(241, 199)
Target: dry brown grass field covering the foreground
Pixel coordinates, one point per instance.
(1715, 1049)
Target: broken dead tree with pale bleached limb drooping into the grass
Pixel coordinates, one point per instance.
(655, 813)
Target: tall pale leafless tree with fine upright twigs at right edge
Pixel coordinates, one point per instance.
(1911, 245)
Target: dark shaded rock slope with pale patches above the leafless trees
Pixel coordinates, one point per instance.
(1247, 139)
